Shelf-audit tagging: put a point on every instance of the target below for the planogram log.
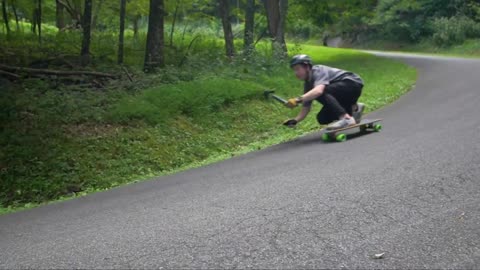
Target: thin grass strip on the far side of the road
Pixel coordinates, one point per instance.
(470, 48)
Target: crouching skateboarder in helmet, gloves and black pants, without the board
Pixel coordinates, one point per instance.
(337, 90)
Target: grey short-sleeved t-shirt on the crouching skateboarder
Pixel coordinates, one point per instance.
(326, 75)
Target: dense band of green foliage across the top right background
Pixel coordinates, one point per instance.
(395, 20)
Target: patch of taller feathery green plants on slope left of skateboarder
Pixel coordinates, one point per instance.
(192, 99)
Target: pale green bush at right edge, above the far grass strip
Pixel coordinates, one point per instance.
(453, 30)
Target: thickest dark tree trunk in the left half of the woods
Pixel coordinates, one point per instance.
(155, 39)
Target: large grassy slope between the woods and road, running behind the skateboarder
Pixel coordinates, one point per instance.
(144, 135)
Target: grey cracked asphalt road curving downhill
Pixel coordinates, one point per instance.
(411, 191)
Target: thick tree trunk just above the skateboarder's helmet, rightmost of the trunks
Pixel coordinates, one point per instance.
(276, 14)
